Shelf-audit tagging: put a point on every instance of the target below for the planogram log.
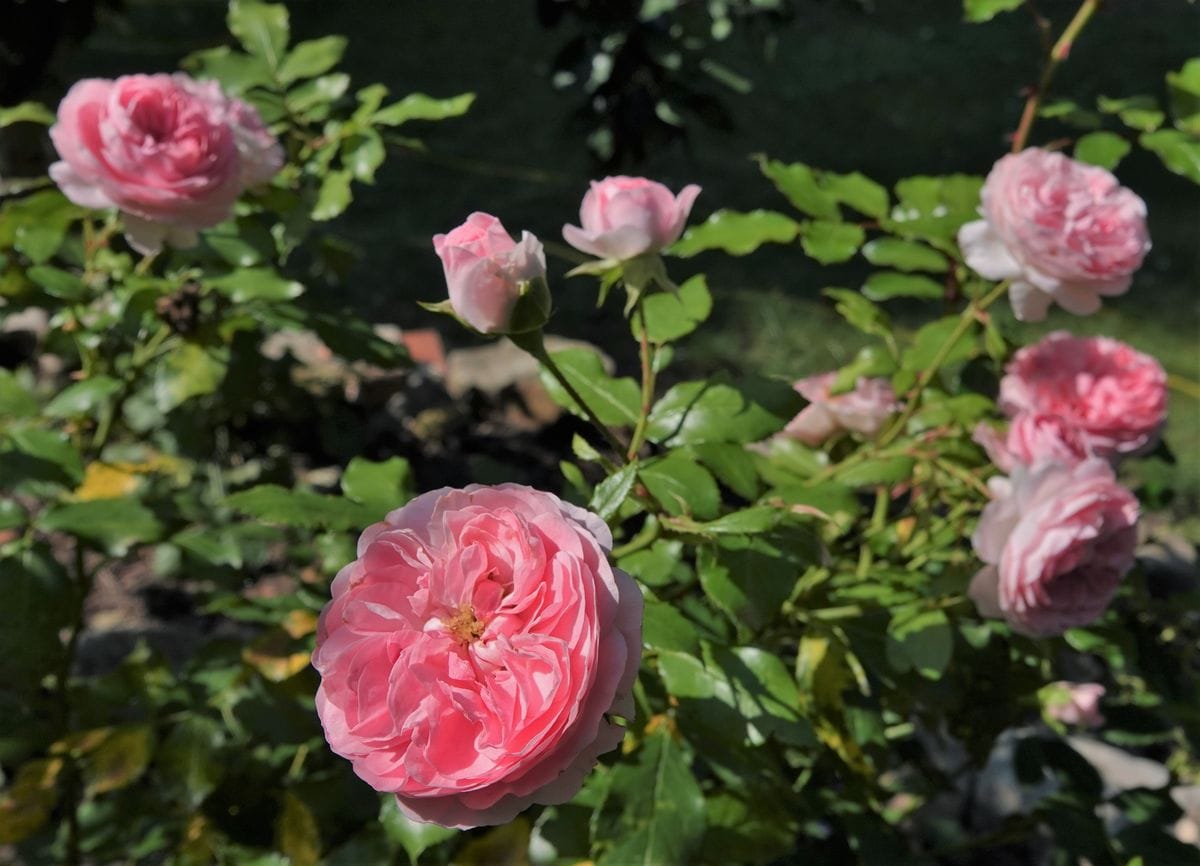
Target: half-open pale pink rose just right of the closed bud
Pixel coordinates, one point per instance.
(625, 218)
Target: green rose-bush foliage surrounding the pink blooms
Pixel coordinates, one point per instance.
(815, 683)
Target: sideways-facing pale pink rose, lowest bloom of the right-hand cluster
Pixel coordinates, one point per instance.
(1057, 542)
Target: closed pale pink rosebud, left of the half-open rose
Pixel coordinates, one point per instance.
(488, 272)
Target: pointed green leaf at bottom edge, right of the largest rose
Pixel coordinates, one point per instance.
(653, 811)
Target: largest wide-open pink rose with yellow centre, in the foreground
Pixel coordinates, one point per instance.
(473, 652)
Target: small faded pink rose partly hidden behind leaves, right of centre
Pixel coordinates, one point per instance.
(863, 411)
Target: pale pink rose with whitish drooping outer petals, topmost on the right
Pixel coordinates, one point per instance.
(1064, 232)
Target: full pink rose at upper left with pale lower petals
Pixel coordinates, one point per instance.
(171, 153)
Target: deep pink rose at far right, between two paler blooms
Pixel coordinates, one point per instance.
(1112, 395)
